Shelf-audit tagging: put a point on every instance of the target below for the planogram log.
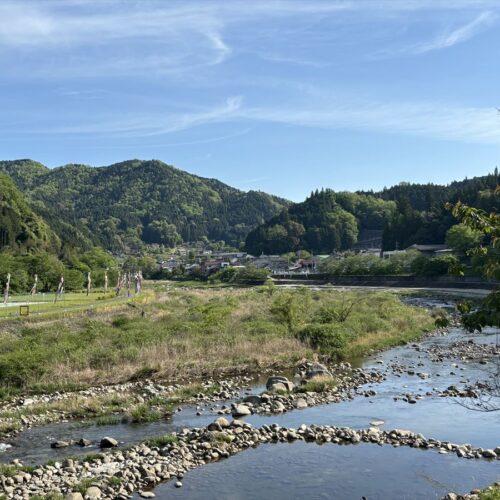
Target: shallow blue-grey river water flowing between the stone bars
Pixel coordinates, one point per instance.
(304, 470)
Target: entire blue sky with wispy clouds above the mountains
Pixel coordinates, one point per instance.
(282, 96)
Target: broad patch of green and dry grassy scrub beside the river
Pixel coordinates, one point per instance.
(183, 333)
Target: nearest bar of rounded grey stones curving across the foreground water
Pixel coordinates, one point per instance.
(119, 474)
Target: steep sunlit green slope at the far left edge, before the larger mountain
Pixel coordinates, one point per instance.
(21, 230)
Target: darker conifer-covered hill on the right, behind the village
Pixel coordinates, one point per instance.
(407, 213)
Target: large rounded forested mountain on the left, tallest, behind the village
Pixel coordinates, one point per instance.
(127, 204)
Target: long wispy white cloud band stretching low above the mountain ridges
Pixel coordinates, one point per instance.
(433, 120)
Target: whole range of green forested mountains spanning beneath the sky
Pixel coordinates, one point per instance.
(127, 205)
